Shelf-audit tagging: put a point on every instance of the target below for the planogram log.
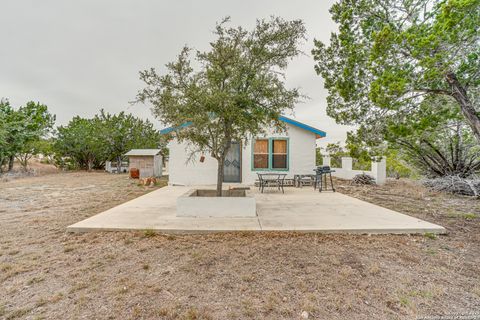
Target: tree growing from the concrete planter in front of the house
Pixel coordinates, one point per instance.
(236, 90)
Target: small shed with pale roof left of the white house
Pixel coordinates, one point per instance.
(147, 161)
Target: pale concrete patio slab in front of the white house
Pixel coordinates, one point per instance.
(302, 210)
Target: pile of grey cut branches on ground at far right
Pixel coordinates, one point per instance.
(455, 184)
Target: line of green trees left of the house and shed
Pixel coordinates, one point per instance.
(81, 144)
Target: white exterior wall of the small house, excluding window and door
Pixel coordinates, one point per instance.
(301, 152)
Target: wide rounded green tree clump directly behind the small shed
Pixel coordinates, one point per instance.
(88, 143)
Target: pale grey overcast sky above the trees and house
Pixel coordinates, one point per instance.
(80, 56)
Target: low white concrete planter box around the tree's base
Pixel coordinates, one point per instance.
(204, 203)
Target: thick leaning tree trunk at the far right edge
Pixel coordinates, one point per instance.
(468, 111)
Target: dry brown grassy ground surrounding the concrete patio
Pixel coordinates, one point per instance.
(46, 273)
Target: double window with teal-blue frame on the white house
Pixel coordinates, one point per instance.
(270, 154)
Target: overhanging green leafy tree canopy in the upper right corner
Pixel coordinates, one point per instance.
(390, 55)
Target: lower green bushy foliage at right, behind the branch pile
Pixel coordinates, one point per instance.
(434, 140)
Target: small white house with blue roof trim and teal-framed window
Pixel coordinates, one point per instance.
(291, 152)
